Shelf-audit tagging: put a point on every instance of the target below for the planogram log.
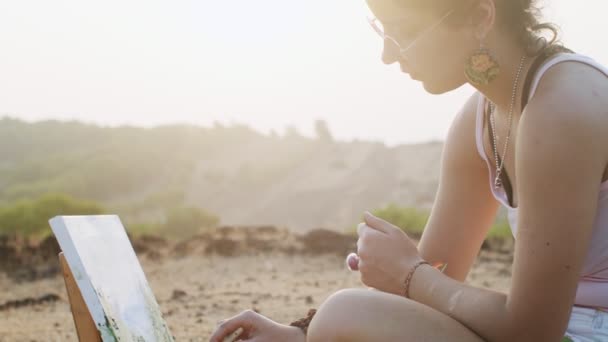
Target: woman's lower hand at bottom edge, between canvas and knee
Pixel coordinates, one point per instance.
(256, 328)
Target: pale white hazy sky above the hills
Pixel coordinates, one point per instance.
(265, 63)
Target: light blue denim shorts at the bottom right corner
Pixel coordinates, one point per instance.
(587, 325)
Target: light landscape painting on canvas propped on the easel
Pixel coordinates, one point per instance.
(110, 278)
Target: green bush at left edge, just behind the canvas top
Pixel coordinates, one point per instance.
(30, 217)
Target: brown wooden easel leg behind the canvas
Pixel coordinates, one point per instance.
(85, 326)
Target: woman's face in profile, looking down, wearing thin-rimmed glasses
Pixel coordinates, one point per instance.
(424, 42)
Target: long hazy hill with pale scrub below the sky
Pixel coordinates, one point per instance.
(242, 176)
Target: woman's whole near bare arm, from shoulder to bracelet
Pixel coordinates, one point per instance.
(560, 158)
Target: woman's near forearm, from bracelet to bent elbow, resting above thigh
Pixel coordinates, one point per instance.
(481, 310)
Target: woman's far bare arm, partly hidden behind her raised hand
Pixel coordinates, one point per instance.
(464, 207)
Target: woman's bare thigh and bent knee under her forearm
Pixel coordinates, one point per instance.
(369, 315)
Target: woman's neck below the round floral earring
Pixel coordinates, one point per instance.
(500, 91)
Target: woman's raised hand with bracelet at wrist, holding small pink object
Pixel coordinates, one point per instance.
(385, 255)
